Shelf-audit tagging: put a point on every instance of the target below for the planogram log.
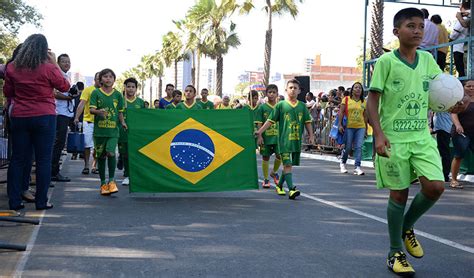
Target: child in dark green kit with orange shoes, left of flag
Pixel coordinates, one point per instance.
(106, 104)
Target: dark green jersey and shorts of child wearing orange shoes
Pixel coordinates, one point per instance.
(106, 130)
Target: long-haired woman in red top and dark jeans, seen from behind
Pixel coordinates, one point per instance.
(29, 83)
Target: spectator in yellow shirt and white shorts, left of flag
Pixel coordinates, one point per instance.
(87, 125)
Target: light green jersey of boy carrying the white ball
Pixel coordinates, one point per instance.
(404, 95)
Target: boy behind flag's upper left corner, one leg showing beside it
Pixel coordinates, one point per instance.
(131, 102)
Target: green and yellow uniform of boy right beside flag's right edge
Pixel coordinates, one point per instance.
(270, 136)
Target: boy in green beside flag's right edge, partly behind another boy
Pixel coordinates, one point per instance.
(270, 138)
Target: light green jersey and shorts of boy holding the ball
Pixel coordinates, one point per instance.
(404, 120)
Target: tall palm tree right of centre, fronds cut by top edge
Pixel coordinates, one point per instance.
(278, 7)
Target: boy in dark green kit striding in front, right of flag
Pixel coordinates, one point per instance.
(292, 116)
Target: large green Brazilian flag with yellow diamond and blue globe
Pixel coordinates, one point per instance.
(191, 150)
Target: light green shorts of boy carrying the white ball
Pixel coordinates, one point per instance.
(407, 162)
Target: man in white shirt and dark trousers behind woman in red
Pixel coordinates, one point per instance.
(64, 113)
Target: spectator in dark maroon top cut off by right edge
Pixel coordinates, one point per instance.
(463, 134)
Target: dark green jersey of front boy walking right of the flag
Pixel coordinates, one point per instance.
(291, 120)
